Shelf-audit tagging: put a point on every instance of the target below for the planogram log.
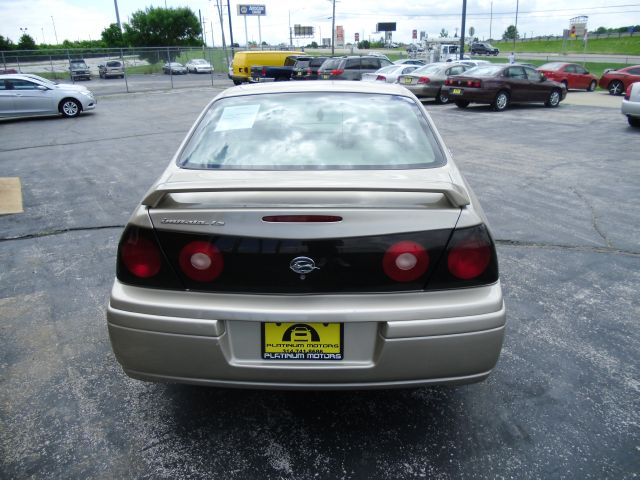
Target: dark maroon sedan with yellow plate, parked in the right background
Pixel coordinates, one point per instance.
(501, 85)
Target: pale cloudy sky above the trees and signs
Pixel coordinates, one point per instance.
(85, 19)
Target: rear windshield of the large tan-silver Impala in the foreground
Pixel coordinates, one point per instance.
(312, 131)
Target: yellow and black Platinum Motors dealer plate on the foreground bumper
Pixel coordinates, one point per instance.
(302, 341)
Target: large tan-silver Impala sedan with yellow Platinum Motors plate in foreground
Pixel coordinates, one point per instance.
(356, 257)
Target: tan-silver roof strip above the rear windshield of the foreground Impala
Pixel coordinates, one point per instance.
(319, 86)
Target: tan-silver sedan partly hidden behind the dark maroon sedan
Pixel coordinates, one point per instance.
(427, 82)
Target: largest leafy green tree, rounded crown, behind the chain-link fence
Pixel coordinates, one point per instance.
(155, 27)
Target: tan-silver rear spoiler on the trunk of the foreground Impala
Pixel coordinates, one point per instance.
(455, 194)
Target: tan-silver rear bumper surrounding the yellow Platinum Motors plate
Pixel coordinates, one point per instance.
(393, 340)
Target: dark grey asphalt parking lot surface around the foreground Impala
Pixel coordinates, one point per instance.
(560, 188)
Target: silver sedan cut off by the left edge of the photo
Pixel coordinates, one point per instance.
(24, 95)
